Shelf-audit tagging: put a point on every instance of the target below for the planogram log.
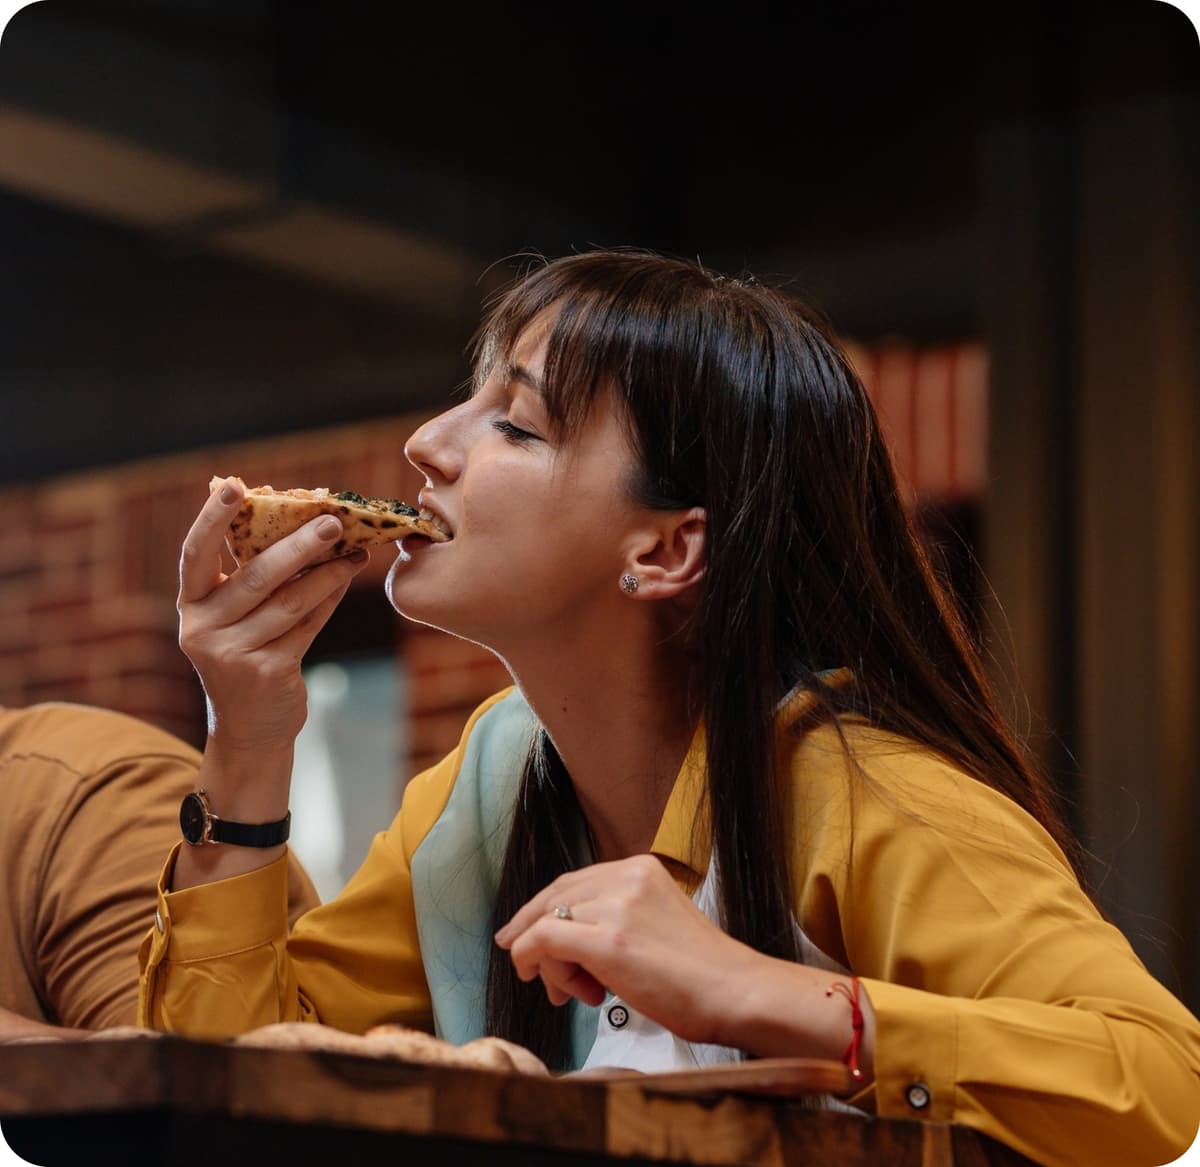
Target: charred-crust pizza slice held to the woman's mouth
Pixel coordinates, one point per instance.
(267, 516)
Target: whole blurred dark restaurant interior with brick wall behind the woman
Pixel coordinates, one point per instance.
(254, 238)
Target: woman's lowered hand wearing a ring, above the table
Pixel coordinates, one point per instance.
(633, 932)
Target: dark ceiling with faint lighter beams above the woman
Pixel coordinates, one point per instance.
(367, 176)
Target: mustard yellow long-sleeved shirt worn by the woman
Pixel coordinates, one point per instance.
(1003, 1001)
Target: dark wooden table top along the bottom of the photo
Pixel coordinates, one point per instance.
(171, 1100)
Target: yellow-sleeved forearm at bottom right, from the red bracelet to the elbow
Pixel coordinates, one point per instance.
(1029, 1073)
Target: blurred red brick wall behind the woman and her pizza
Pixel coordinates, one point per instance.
(88, 564)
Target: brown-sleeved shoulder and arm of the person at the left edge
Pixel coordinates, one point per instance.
(97, 797)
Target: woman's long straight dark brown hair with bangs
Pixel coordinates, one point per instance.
(739, 399)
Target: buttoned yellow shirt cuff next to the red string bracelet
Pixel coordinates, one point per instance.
(916, 1052)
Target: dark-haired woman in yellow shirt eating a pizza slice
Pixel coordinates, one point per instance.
(741, 697)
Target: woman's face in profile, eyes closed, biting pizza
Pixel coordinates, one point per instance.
(539, 524)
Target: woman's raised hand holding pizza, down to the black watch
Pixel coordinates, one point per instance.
(247, 635)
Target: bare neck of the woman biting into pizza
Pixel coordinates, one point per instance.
(620, 720)
